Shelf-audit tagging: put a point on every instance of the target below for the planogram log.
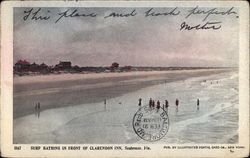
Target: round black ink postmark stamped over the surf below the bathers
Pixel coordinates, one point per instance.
(151, 124)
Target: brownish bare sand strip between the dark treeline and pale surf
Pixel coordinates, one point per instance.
(60, 90)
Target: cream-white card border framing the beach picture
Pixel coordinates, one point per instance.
(7, 82)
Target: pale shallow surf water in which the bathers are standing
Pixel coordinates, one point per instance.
(218, 110)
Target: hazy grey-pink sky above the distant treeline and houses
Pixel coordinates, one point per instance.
(135, 41)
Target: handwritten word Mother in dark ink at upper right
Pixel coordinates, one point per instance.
(206, 26)
